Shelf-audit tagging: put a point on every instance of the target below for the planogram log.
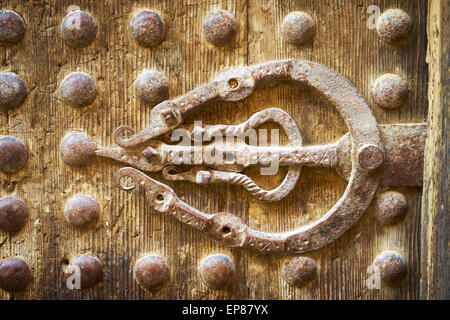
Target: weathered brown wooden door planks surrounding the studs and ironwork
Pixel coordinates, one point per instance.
(128, 228)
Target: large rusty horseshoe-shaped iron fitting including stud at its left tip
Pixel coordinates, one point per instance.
(369, 155)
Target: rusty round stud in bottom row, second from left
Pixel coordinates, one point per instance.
(89, 268)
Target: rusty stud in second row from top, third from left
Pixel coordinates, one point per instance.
(152, 87)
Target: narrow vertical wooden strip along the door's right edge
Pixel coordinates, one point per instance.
(435, 280)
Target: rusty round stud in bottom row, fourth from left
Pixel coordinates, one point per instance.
(217, 271)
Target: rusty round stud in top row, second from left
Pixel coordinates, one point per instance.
(79, 29)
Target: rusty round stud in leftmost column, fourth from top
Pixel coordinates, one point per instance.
(13, 213)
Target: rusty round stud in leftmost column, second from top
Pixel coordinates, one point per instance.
(13, 91)
